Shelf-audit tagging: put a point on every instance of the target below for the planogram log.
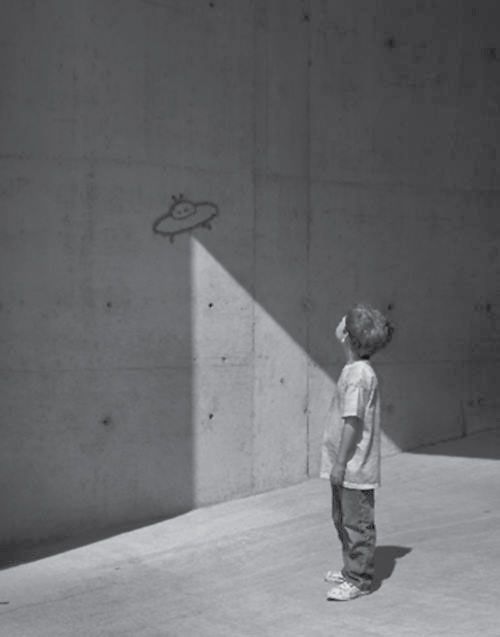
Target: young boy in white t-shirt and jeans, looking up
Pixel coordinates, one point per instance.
(351, 450)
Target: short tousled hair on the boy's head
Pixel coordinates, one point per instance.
(368, 330)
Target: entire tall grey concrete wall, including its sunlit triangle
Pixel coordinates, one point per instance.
(351, 153)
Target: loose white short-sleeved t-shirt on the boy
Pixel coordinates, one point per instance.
(357, 395)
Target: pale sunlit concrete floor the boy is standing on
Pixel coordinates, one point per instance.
(254, 567)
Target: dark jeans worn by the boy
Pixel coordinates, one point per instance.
(353, 513)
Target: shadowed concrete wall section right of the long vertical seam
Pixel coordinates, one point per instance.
(405, 134)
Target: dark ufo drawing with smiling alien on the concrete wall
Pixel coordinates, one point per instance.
(184, 215)
